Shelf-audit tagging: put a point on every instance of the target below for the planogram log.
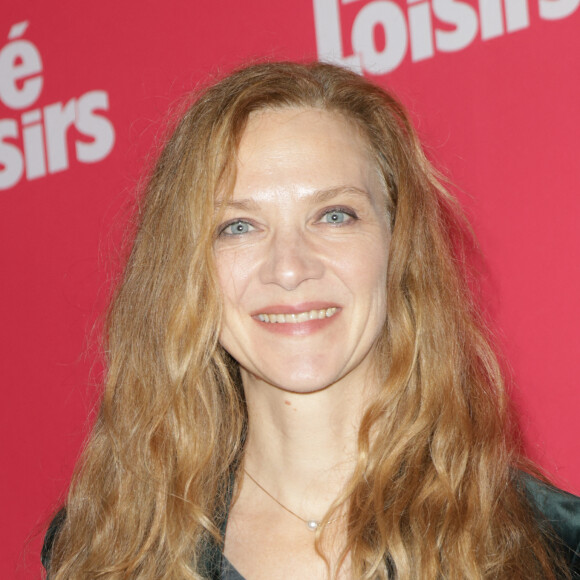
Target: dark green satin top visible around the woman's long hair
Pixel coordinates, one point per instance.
(559, 509)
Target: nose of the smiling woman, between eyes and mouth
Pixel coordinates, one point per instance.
(290, 261)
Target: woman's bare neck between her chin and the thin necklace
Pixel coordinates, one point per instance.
(302, 447)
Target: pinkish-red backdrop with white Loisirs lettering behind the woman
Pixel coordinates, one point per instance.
(493, 87)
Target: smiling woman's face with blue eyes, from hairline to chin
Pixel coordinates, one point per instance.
(302, 252)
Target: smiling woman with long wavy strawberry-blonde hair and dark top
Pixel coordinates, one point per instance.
(299, 384)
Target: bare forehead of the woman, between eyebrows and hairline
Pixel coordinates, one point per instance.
(303, 149)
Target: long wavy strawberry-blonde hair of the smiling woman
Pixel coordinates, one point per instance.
(435, 492)
